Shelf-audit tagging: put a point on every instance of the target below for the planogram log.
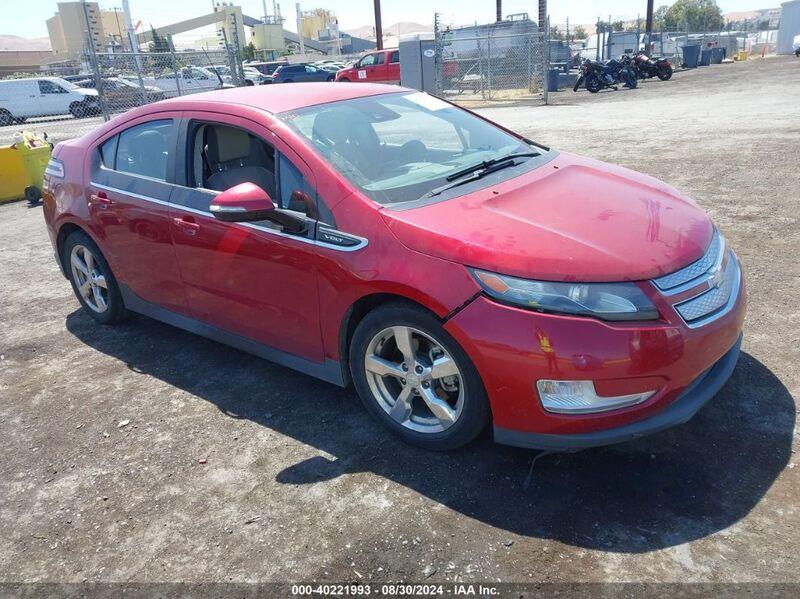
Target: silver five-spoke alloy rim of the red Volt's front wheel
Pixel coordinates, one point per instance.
(414, 379)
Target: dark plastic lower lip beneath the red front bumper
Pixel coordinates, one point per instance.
(686, 405)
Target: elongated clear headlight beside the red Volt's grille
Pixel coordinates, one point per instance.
(607, 301)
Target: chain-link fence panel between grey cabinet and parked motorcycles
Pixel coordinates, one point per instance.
(477, 66)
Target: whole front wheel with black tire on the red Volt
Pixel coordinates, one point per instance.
(415, 378)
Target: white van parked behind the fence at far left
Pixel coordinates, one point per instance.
(21, 99)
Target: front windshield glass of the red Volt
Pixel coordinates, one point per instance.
(398, 147)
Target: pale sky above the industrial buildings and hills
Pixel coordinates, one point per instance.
(30, 20)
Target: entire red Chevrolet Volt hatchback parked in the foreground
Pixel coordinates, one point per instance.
(454, 272)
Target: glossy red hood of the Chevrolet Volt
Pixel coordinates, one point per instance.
(571, 219)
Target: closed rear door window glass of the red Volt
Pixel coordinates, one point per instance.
(144, 149)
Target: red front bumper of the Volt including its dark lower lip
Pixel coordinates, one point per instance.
(513, 348)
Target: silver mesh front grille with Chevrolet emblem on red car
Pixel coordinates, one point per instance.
(715, 278)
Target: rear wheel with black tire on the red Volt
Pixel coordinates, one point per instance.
(92, 279)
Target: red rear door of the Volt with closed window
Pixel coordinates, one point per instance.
(131, 180)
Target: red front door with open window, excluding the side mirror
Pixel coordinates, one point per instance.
(250, 279)
